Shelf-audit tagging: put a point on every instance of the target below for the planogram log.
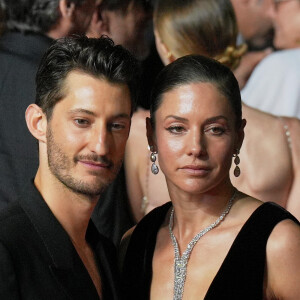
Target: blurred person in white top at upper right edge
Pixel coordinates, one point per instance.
(274, 86)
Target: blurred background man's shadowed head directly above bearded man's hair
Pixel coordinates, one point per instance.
(125, 22)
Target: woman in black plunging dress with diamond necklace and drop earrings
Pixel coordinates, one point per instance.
(211, 241)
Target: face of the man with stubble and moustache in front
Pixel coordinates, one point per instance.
(87, 133)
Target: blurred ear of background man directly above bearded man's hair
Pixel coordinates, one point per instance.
(99, 23)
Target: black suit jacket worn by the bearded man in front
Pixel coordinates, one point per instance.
(38, 260)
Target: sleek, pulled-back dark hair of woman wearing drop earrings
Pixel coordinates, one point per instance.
(193, 69)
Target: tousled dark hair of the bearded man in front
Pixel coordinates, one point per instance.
(96, 57)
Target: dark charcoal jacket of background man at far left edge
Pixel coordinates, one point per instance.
(20, 55)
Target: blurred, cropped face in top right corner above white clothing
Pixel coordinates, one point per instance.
(286, 20)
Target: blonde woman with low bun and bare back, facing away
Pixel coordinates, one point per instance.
(270, 158)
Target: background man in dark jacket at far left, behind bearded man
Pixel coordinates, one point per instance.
(30, 27)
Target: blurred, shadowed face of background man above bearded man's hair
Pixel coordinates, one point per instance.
(130, 29)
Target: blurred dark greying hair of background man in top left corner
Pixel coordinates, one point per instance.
(32, 15)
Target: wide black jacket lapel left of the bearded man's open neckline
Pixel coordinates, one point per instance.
(66, 265)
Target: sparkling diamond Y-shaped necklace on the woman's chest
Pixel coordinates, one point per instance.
(180, 263)
